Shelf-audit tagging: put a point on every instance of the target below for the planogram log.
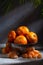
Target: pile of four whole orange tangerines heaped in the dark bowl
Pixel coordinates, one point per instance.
(22, 36)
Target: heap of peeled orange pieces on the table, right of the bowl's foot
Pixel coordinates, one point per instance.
(32, 54)
